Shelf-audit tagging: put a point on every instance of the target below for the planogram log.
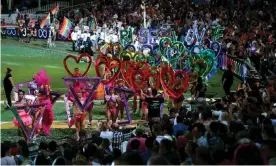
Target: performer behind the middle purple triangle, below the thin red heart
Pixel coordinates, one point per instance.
(79, 116)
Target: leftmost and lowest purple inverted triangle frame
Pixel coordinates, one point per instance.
(28, 133)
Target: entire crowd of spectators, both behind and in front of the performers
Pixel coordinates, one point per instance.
(237, 129)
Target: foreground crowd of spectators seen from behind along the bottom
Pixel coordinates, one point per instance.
(238, 130)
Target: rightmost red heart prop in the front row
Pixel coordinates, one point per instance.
(167, 86)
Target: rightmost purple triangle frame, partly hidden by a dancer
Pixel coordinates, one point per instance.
(125, 94)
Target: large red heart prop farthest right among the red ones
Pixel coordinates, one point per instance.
(177, 84)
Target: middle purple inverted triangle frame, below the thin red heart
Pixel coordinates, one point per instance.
(95, 81)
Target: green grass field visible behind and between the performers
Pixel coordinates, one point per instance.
(26, 59)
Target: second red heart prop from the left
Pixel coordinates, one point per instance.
(110, 64)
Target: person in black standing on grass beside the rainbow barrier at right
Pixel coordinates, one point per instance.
(227, 79)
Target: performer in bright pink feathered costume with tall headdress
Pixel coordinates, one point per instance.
(44, 96)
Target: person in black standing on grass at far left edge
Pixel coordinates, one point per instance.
(8, 86)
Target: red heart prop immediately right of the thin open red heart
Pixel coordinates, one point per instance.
(111, 65)
